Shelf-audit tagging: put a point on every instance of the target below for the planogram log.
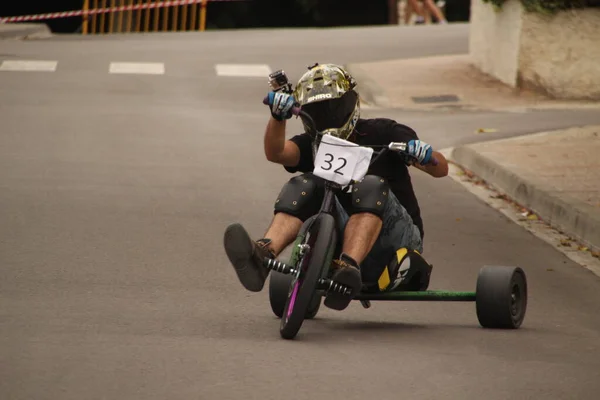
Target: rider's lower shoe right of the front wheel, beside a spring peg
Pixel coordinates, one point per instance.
(347, 272)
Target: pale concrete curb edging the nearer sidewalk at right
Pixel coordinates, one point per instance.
(576, 219)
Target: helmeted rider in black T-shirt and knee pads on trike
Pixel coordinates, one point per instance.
(379, 215)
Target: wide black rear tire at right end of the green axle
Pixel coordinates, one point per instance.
(501, 297)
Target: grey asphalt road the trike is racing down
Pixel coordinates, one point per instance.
(115, 191)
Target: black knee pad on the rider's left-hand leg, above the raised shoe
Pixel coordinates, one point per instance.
(301, 196)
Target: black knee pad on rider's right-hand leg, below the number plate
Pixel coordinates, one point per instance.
(370, 195)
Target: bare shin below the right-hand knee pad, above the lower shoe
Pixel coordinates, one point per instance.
(360, 234)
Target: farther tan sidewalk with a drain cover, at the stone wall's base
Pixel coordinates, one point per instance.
(444, 83)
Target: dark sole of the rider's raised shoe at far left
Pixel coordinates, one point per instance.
(239, 249)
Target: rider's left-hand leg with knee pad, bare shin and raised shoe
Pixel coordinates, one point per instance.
(299, 199)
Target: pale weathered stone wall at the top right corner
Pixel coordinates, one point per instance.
(558, 55)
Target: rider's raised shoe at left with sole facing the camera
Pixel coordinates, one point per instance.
(247, 257)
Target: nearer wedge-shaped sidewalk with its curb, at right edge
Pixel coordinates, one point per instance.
(554, 174)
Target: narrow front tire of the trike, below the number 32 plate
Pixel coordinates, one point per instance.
(321, 237)
